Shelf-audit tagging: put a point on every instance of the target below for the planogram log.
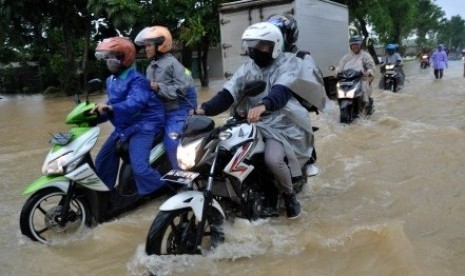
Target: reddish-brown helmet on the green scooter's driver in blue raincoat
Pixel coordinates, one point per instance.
(119, 47)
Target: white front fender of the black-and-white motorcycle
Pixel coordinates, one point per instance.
(189, 199)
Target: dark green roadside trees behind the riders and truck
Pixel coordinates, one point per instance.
(48, 45)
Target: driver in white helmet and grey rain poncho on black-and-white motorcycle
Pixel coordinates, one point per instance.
(283, 131)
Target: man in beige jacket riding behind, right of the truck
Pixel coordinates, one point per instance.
(359, 59)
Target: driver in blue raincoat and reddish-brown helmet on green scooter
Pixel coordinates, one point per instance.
(135, 112)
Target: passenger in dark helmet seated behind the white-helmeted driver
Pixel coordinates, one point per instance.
(288, 26)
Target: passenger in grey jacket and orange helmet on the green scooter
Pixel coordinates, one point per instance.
(170, 81)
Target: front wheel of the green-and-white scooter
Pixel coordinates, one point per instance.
(42, 212)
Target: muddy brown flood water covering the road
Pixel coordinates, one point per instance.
(389, 199)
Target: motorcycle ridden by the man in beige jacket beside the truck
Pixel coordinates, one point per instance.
(350, 95)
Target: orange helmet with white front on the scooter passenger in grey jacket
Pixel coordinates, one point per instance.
(158, 35)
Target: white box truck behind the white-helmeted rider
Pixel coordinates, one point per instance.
(323, 29)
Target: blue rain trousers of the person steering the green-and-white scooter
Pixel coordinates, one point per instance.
(107, 163)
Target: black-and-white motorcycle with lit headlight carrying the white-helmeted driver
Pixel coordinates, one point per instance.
(225, 174)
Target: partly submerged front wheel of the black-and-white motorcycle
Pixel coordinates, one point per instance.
(174, 232)
